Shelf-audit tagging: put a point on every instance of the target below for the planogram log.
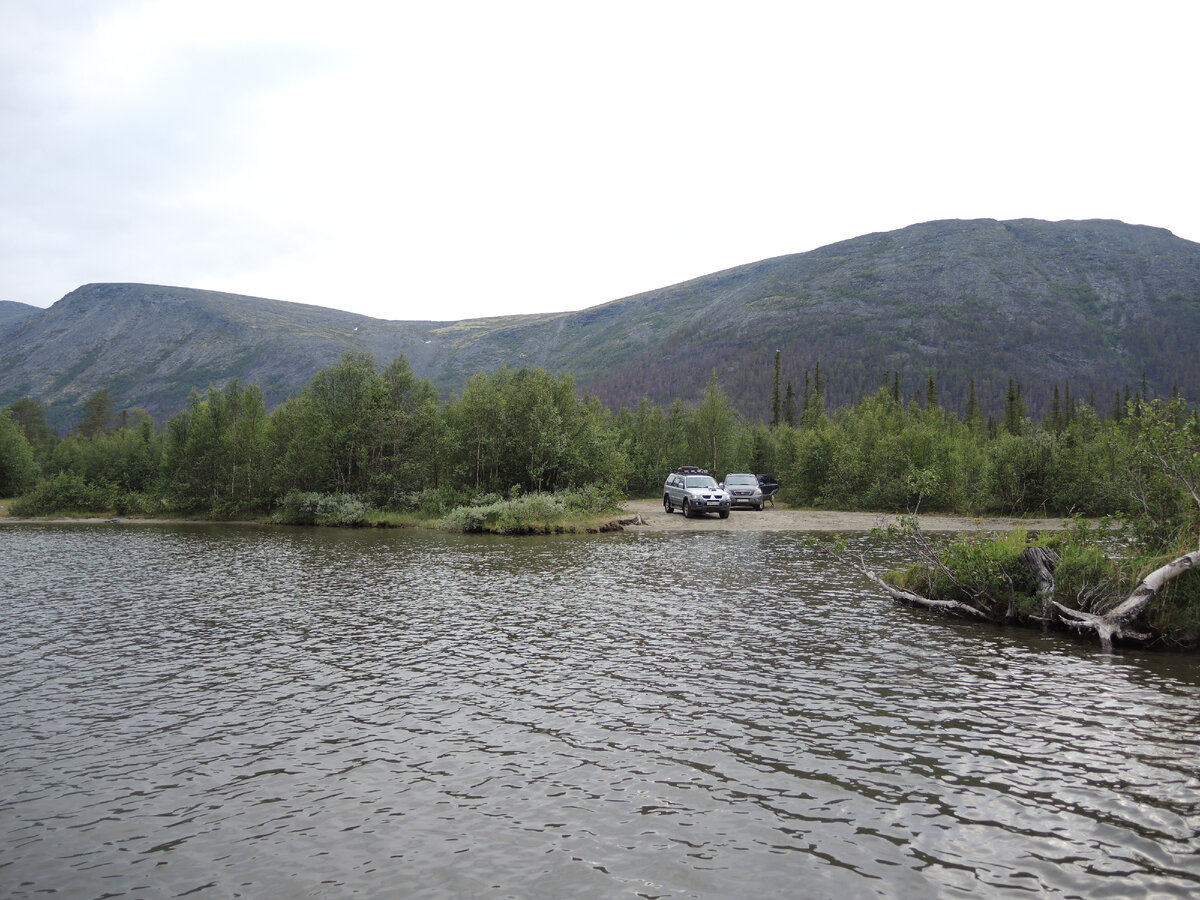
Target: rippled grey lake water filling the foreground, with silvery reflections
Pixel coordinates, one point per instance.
(316, 713)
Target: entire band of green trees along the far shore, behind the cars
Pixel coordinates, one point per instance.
(387, 439)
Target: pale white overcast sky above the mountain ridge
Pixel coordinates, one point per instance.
(447, 160)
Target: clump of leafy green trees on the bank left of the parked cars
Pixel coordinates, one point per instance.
(382, 436)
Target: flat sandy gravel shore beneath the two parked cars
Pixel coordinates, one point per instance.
(782, 519)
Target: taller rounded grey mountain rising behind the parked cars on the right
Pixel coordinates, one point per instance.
(1097, 303)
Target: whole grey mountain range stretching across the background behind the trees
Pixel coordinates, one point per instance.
(1099, 304)
